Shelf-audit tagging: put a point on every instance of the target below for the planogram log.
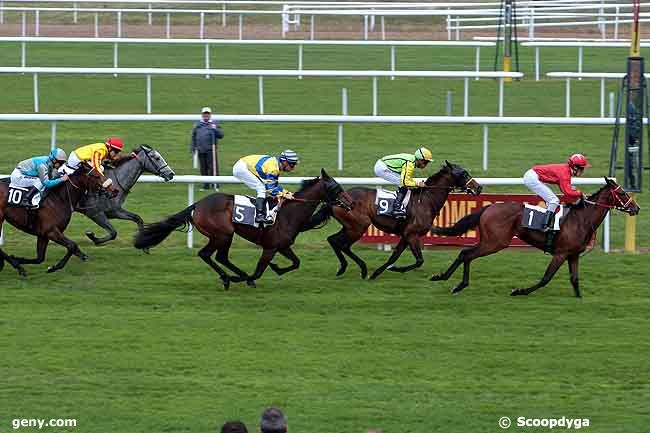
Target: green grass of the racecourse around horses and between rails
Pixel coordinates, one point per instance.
(134, 343)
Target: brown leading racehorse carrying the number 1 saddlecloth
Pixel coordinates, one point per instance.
(498, 223)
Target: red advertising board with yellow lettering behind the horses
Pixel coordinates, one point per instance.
(456, 207)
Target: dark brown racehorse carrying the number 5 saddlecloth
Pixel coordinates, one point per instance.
(212, 216)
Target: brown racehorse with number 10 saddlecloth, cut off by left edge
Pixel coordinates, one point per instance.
(50, 220)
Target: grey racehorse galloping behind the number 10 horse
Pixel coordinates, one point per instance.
(101, 208)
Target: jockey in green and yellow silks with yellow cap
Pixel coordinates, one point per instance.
(398, 170)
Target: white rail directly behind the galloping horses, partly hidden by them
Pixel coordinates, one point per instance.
(346, 181)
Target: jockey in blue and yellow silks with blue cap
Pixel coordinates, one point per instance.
(261, 173)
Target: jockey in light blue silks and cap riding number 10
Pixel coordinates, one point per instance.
(40, 172)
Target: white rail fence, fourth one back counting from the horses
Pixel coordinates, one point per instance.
(208, 43)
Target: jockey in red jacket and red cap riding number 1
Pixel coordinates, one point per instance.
(555, 174)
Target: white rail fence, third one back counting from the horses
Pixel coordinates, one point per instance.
(262, 73)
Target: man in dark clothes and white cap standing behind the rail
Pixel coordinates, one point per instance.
(205, 135)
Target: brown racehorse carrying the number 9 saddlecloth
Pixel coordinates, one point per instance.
(424, 205)
